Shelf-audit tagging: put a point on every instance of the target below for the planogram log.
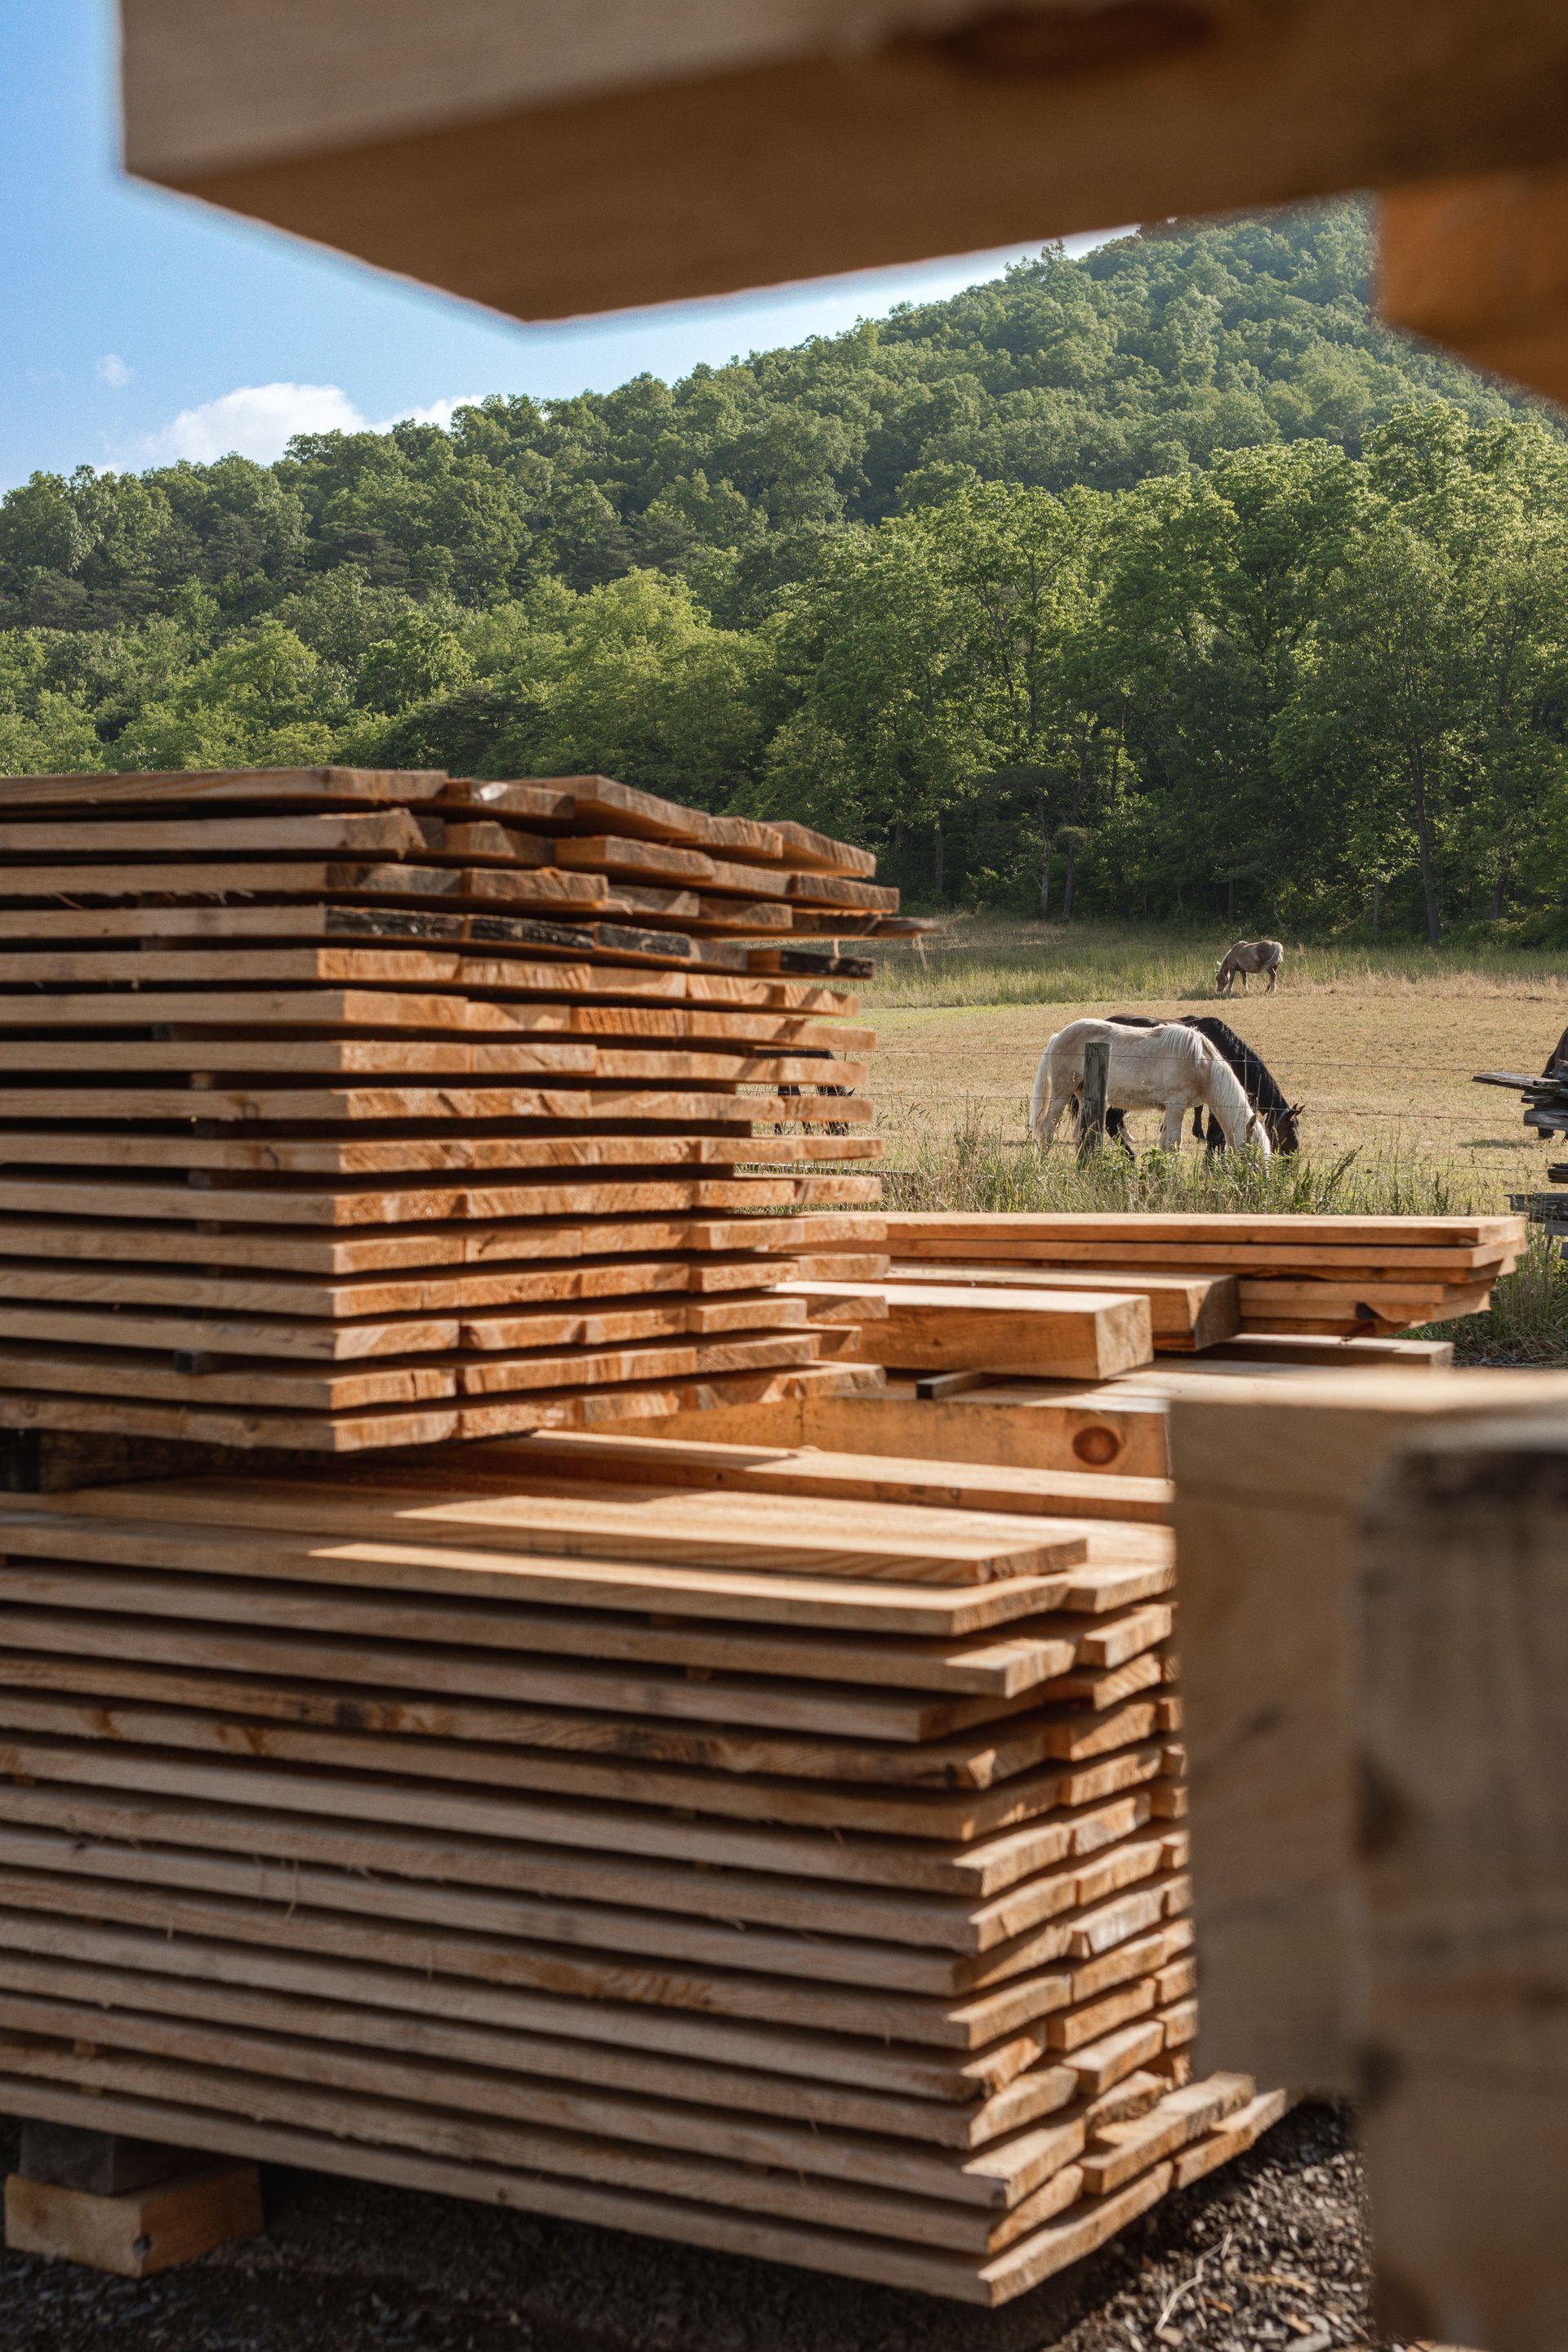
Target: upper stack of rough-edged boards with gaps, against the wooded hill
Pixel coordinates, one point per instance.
(354, 1109)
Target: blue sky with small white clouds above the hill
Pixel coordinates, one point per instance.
(142, 328)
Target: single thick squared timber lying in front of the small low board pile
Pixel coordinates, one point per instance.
(1076, 1335)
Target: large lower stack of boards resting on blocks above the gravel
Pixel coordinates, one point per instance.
(514, 1824)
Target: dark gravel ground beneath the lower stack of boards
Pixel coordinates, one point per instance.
(1264, 2254)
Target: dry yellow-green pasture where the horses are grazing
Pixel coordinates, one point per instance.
(1381, 1048)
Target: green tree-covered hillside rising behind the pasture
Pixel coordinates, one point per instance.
(1165, 582)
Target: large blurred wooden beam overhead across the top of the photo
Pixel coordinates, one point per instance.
(547, 159)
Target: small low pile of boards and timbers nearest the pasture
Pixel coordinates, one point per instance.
(1092, 1297)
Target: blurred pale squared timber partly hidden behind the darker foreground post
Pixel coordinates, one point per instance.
(1268, 1483)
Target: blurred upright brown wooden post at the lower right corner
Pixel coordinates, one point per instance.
(1461, 1619)
